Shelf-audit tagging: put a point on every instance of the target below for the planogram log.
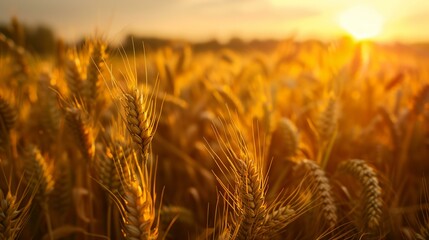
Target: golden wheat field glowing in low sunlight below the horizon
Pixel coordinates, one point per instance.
(308, 140)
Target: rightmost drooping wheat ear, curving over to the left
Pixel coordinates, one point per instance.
(371, 199)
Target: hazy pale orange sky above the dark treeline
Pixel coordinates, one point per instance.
(222, 19)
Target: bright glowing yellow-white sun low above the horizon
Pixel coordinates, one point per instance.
(362, 22)
